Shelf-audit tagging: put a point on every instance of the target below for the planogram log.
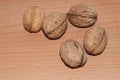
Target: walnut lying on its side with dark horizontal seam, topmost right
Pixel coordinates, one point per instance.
(82, 16)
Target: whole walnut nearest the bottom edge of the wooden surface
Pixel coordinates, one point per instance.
(72, 54)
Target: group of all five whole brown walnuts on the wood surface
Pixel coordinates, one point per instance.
(55, 25)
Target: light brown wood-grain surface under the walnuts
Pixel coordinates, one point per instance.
(26, 56)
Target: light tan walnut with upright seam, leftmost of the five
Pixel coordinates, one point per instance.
(33, 19)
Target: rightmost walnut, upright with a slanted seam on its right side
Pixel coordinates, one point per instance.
(95, 40)
